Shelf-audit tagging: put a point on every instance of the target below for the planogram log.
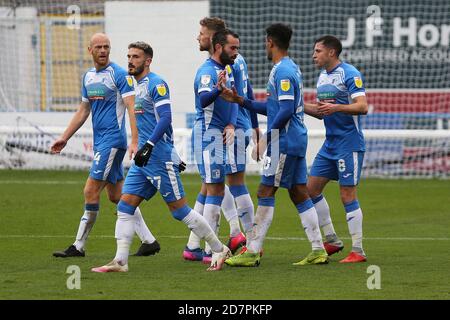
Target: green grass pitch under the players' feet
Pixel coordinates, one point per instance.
(406, 230)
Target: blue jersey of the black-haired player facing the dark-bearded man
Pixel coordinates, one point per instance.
(285, 83)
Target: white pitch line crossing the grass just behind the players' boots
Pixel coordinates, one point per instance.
(36, 236)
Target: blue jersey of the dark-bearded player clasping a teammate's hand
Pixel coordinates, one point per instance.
(217, 114)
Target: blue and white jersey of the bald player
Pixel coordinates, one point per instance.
(104, 90)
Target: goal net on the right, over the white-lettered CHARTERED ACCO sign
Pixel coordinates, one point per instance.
(402, 49)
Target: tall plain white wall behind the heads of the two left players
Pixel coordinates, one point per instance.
(171, 28)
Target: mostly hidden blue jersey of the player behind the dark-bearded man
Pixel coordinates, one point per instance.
(240, 76)
